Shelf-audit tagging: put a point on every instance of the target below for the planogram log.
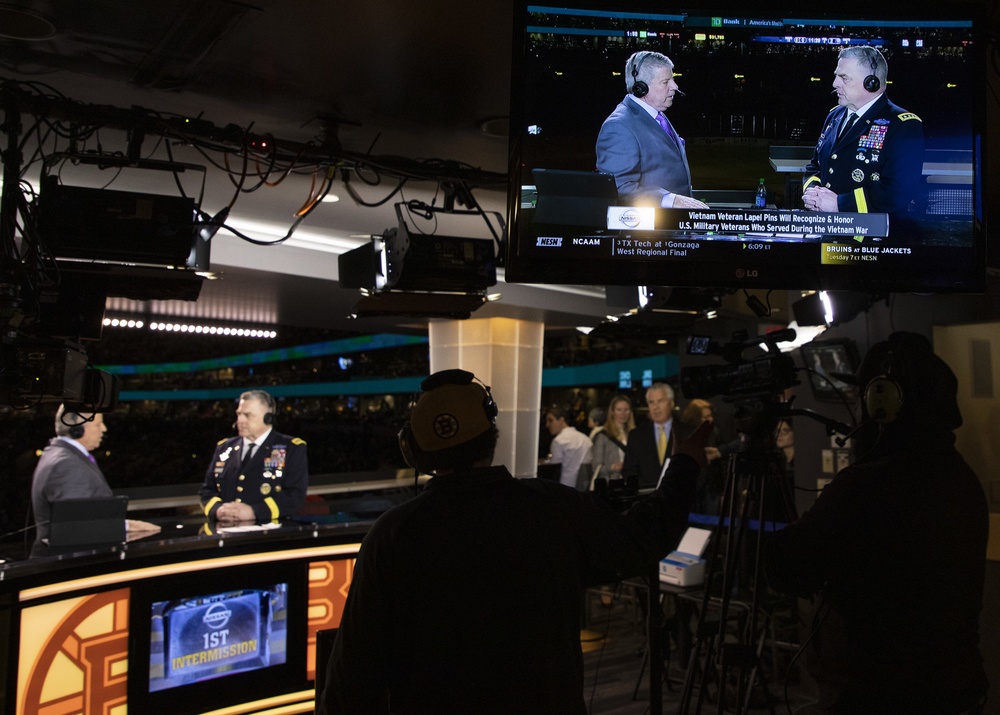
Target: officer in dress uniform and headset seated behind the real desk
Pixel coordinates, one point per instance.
(259, 476)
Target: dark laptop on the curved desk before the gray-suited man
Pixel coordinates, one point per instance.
(91, 521)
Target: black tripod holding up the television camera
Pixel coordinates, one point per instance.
(755, 477)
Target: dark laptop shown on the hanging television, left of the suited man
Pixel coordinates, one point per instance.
(574, 198)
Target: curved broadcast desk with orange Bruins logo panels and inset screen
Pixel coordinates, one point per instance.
(189, 620)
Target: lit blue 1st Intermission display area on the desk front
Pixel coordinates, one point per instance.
(215, 635)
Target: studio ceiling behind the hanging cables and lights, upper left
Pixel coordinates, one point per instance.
(395, 80)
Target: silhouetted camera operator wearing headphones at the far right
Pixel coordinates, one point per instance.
(895, 548)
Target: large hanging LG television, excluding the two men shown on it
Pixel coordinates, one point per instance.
(758, 86)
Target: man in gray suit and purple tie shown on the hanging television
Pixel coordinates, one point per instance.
(637, 143)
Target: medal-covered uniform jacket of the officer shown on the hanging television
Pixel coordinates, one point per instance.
(876, 166)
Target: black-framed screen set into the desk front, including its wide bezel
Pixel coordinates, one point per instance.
(241, 631)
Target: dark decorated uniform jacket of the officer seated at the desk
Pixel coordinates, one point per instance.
(273, 483)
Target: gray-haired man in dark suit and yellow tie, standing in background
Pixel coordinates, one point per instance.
(650, 445)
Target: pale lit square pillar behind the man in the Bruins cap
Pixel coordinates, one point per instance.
(506, 354)
